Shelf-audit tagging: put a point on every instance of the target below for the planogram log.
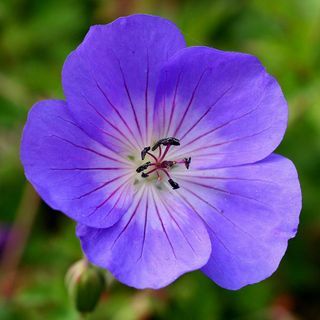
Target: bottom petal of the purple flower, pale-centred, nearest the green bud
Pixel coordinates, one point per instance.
(154, 243)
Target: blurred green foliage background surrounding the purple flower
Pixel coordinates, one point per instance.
(35, 38)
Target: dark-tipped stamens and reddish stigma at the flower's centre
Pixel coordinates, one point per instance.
(160, 164)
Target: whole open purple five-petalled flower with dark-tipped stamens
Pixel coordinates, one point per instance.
(163, 155)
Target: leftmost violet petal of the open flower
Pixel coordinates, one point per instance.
(73, 173)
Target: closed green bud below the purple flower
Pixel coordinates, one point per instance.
(85, 284)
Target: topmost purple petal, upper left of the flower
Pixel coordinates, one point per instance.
(110, 79)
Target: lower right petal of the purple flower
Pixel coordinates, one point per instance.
(251, 211)
